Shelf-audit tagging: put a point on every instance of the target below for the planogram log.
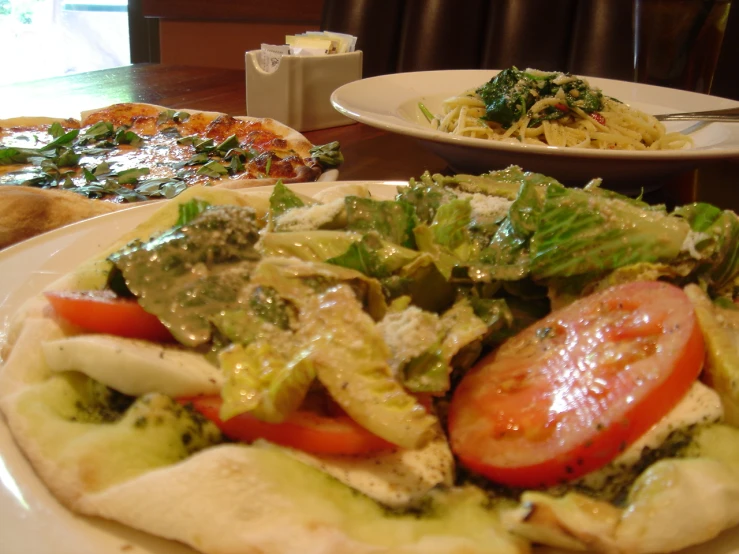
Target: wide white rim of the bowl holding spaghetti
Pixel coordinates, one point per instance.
(383, 115)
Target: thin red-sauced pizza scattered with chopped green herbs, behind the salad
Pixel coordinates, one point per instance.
(133, 152)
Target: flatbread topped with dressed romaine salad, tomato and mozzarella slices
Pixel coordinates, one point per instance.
(473, 364)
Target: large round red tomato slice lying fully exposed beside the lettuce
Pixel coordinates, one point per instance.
(568, 394)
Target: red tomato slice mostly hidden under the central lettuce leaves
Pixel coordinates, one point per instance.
(303, 430)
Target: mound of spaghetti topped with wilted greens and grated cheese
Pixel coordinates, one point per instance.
(552, 109)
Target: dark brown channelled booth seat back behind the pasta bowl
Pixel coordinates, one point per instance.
(585, 37)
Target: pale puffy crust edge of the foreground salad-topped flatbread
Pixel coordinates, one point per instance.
(231, 499)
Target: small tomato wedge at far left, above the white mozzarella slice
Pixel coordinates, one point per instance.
(103, 312)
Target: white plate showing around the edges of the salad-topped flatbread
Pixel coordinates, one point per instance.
(31, 519)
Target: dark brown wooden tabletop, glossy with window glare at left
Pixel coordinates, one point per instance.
(370, 154)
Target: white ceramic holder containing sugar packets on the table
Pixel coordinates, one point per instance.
(298, 92)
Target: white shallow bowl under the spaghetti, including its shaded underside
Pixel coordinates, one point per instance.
(390, 102)
